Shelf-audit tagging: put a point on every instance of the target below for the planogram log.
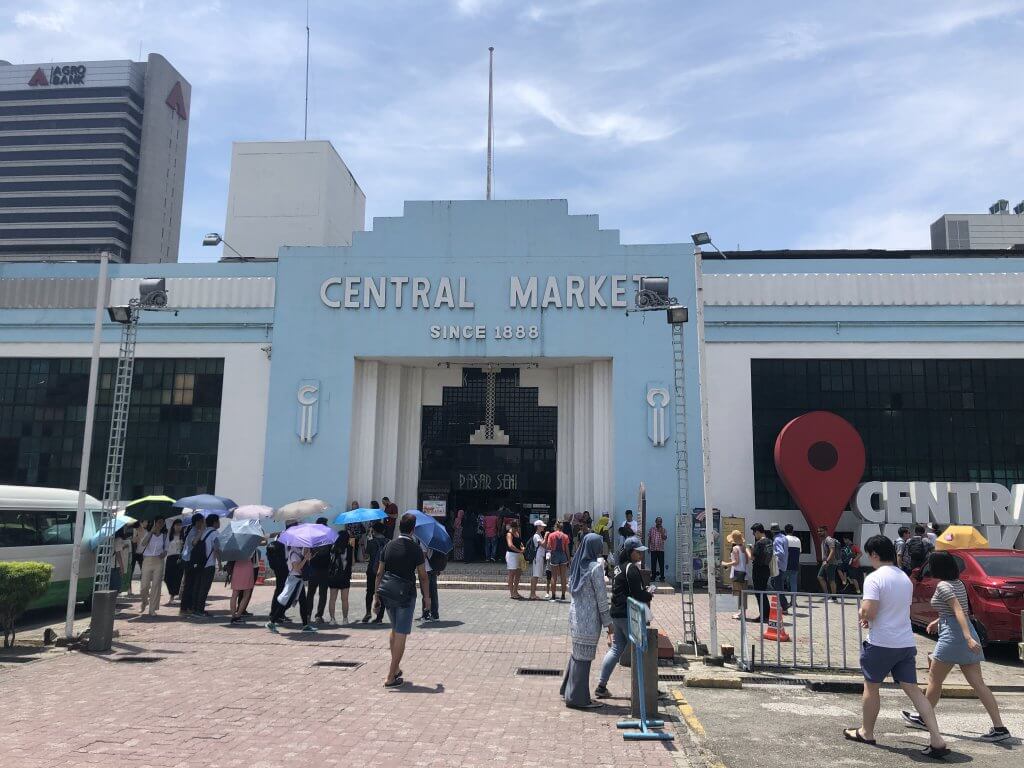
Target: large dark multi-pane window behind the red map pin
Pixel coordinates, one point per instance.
(943, 421)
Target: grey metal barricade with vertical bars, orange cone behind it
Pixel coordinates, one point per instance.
(818, 632)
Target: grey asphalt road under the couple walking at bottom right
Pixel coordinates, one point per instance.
(772, 727)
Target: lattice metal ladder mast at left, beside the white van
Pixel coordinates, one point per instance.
(116, 447)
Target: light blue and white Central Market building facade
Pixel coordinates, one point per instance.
(479, 356)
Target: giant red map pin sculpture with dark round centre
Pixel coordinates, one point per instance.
(821, 458)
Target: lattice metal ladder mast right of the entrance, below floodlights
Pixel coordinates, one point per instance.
(685, 521)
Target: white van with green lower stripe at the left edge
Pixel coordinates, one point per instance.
(38, 526)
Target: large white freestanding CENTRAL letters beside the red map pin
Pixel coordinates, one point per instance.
(995, 509)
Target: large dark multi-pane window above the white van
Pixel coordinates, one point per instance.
(174, 426)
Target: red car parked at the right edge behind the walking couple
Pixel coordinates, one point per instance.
(995, 582)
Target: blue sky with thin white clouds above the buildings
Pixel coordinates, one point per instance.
(783, 124)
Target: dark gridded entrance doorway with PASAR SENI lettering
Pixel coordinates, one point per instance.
(489, 449)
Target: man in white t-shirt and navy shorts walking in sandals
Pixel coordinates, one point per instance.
(890, 649)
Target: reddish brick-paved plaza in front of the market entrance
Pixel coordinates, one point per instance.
(239, 696)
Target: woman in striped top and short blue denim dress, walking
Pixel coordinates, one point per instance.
(958, 647)
